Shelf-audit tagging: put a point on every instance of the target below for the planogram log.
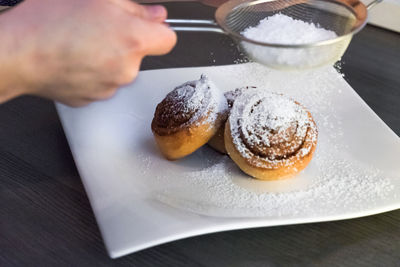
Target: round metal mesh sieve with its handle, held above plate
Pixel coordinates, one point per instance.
(344, 17)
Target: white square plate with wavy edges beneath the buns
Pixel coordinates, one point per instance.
(141, 200)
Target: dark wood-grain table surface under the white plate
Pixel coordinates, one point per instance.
(46, 219)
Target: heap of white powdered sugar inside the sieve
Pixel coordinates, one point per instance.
(285, 30)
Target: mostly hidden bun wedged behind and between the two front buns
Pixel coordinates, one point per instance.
(217, 141)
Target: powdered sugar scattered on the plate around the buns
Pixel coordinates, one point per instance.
(334, 182)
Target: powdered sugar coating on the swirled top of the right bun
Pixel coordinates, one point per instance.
(260, 120)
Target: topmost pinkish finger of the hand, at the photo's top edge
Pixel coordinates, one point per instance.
(155, 13)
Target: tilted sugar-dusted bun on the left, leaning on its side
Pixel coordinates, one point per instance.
(188, 117)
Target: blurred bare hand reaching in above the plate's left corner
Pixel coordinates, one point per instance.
(76, 52)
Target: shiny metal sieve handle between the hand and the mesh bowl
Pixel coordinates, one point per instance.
(194, 25)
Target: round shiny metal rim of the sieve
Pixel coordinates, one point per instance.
(225, 9)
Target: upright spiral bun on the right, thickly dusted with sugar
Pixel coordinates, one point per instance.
(270, 136)
